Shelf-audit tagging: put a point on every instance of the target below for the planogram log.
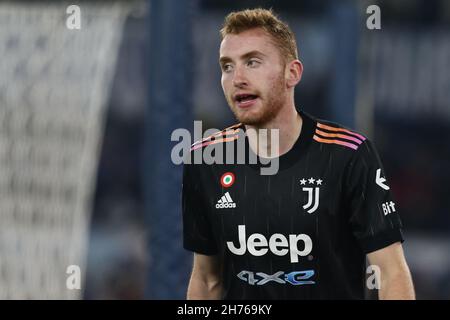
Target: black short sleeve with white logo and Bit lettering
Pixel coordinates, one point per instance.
(374, 216)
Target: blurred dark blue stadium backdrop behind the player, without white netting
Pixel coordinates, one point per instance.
(392, 84)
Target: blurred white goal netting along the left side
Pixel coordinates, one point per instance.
(54, 84)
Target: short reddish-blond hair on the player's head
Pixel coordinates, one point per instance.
(282, 35)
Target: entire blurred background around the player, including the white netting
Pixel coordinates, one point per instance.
(86, 118)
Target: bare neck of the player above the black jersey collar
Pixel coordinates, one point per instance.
(264, 142)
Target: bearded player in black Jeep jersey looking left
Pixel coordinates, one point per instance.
(304, 232)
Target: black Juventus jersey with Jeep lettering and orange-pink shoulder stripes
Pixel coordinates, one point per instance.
(302, 233)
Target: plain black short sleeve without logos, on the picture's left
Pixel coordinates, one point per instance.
(197, 230)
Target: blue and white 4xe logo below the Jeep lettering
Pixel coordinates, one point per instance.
(295, 278)
